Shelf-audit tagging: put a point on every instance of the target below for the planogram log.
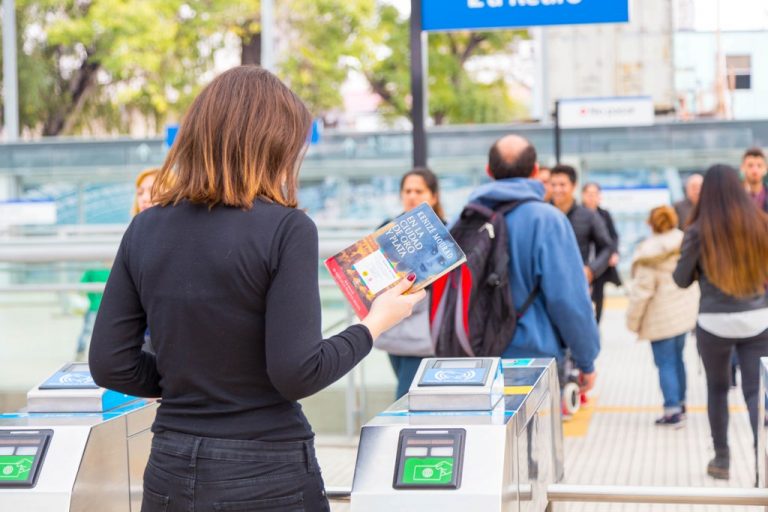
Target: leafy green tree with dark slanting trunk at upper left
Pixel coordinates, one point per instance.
(91, 64)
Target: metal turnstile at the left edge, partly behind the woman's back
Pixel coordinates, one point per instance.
(75, 447)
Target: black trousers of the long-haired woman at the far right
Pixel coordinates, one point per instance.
(716, 355)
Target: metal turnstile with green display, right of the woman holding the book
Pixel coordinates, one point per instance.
(472, 434)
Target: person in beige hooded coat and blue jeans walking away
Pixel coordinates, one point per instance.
(662, 312)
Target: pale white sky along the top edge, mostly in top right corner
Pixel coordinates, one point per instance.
(734, 14)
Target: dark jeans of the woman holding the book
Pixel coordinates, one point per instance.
(201, 474)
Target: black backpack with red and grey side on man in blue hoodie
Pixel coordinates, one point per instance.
(472, 313)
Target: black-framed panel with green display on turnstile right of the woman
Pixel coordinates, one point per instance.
(429, 458)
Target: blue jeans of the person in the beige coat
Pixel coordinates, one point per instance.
(668, 356)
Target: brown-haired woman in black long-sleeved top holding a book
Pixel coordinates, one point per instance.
(225, 271)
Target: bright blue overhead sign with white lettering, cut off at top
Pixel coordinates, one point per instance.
(487, 14)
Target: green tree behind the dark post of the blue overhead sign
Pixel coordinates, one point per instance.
(454, 95)
